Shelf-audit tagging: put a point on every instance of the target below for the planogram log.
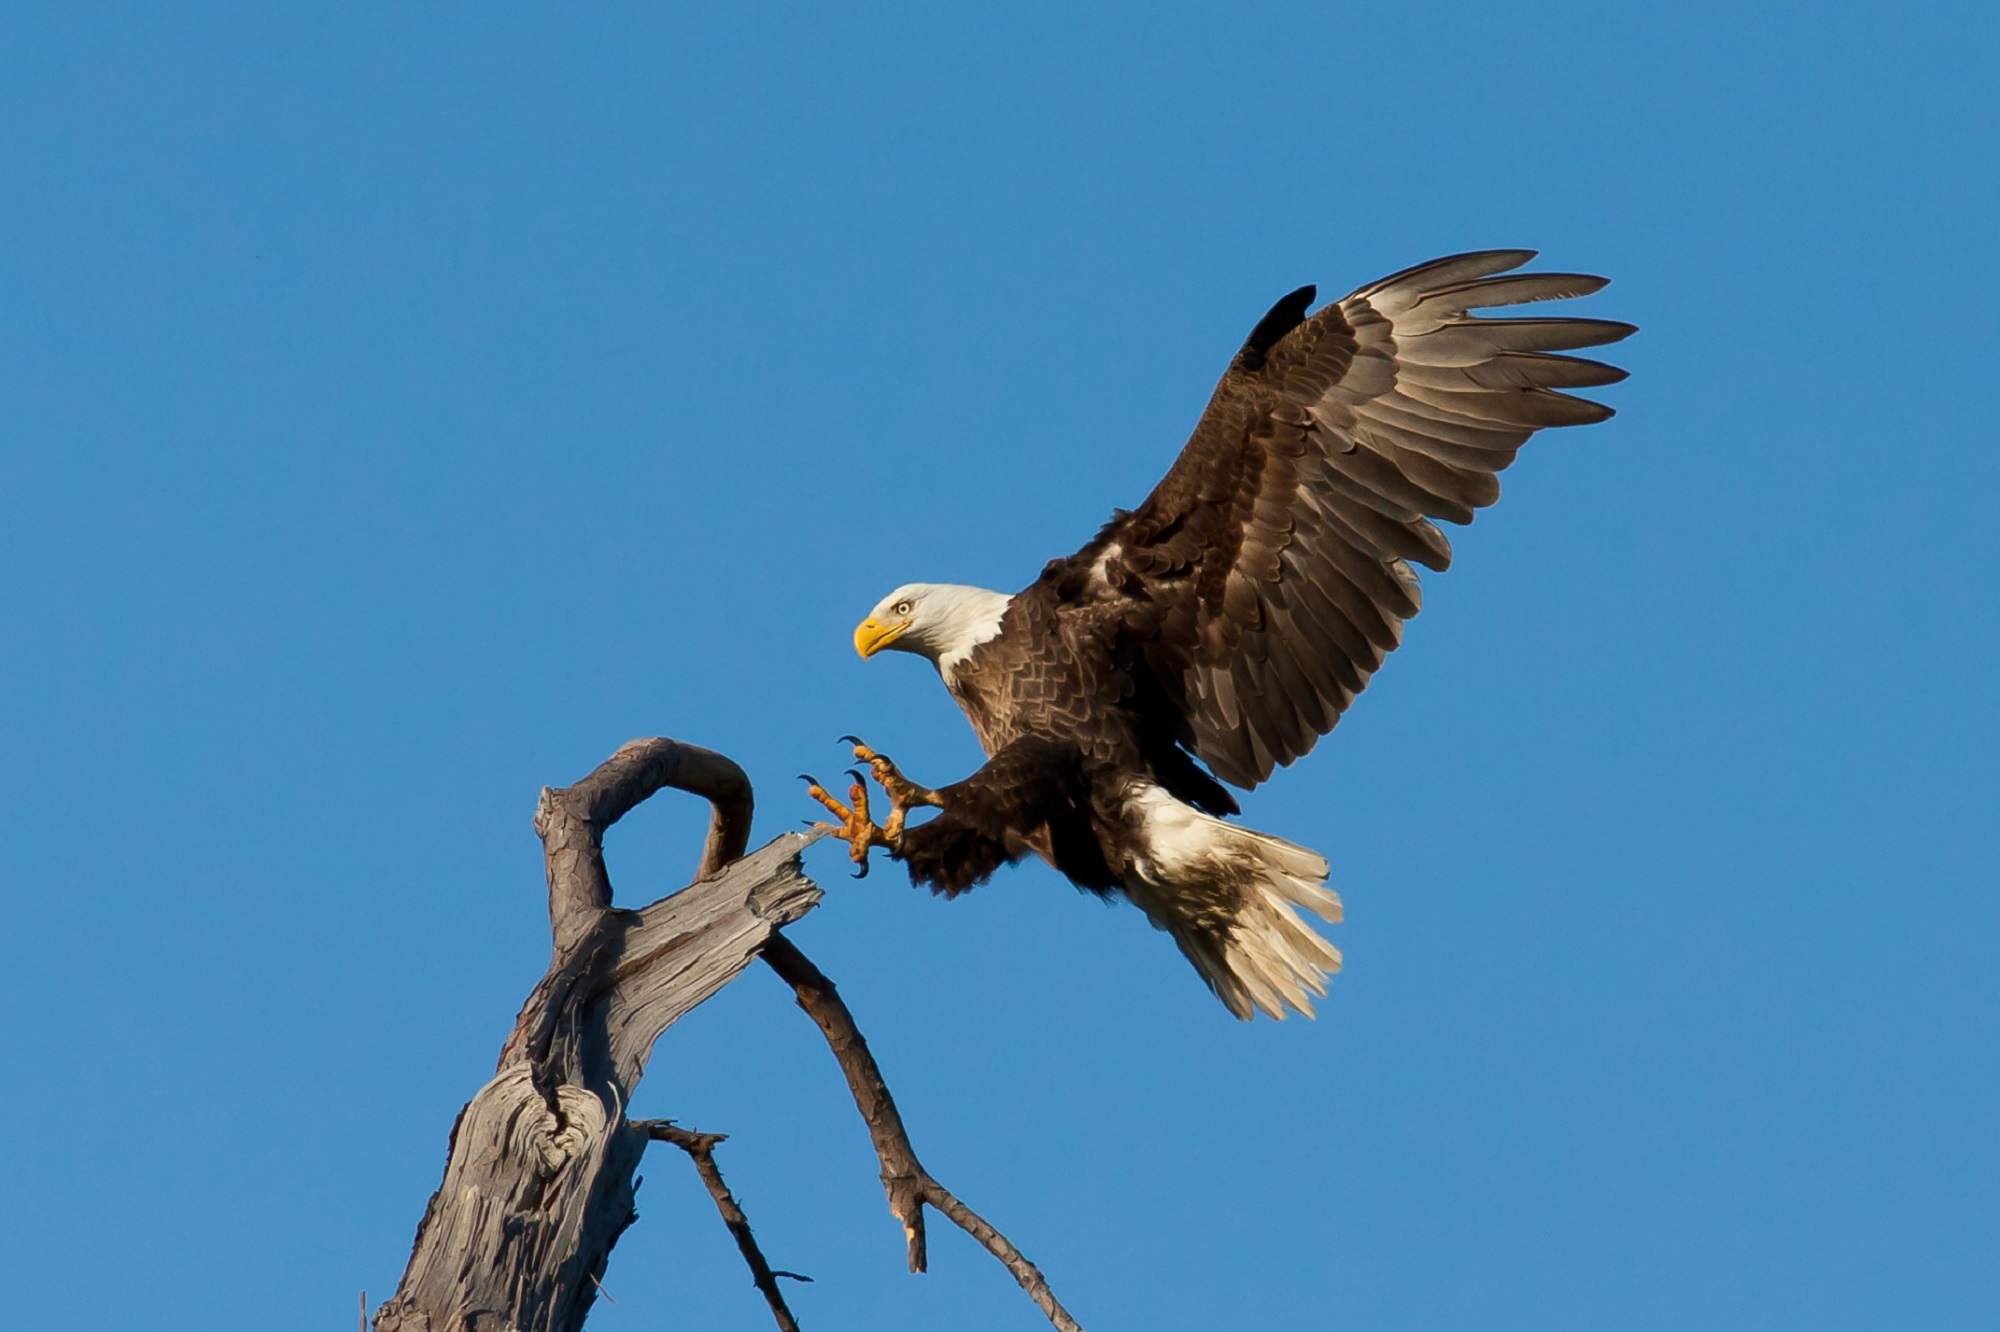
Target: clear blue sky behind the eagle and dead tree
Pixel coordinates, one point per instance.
(405, 405)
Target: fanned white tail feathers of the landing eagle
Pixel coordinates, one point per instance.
(1231, 899)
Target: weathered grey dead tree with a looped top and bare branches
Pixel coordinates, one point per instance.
(539, 1175)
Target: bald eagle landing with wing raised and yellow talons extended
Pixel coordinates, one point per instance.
(1225, 625)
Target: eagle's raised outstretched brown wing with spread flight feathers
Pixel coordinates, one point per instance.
(1271, 567)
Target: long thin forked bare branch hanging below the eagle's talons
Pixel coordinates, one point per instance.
(905, 1181)
